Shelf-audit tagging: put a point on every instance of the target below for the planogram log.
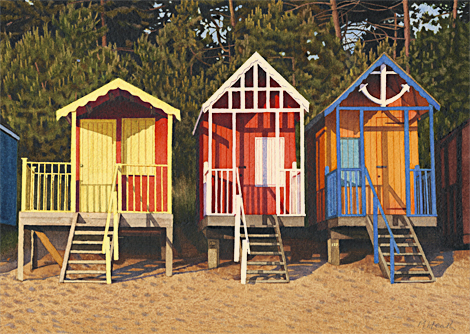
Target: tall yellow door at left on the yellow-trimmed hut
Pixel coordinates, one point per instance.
(97, 161)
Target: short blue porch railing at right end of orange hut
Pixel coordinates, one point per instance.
(423, 200)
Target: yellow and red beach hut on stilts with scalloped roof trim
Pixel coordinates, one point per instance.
(119, 177)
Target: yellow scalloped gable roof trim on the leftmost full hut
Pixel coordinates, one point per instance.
(123, 85)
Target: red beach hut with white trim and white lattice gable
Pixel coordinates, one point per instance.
(249, 158)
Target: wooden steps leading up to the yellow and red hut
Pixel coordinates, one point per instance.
(84, 261)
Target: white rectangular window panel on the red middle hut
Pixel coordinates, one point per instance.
(265, 151)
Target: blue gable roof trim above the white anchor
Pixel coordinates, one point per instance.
(383, 59)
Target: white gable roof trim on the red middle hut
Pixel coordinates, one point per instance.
(253, 60)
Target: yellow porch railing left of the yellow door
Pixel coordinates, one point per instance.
(46, 186)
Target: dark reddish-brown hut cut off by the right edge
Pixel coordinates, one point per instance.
(453, 181)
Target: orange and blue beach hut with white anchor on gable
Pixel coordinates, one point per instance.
(364, 169)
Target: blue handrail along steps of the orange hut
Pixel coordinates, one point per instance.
(393, 244)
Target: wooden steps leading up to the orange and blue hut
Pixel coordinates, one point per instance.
(411, 262)
